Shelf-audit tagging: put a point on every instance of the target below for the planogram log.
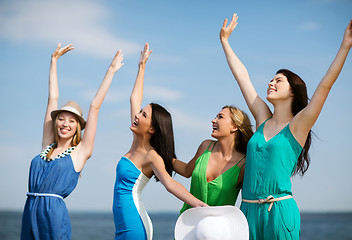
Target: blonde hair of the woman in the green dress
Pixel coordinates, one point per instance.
(241, 120)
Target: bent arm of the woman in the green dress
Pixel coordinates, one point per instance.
(186, 169)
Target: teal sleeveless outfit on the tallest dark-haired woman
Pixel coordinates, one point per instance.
(269, 167)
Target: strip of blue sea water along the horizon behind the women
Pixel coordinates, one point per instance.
(100, 226)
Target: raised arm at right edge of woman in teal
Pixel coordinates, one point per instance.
(304, 120)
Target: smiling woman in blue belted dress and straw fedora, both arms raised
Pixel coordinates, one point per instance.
(54, 173)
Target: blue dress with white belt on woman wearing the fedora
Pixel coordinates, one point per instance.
(45, 215)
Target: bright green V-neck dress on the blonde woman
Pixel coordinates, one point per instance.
(221, 191)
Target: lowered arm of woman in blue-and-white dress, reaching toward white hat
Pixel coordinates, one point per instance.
(172, 186)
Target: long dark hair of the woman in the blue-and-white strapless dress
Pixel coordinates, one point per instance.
(162, 139)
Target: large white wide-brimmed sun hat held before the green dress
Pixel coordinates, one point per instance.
(212, 223)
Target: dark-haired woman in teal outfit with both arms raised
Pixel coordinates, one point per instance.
(279, 148)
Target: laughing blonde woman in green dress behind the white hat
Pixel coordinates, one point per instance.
(217, 169)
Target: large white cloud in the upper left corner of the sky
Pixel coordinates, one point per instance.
(79, 22)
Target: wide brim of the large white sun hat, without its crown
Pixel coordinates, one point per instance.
(188, 220)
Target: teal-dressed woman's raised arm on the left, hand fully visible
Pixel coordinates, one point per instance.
(256, 105)
